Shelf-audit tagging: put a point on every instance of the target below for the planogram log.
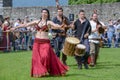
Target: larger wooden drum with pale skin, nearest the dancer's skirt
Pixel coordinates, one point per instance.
(69, 45)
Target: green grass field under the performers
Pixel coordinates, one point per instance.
(16, 66)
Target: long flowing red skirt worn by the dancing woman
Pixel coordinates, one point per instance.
(44, 60)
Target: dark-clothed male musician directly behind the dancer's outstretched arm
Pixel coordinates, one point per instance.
(60, 34)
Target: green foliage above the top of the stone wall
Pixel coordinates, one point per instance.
(75, 2)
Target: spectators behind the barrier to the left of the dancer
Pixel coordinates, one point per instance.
(21, 39)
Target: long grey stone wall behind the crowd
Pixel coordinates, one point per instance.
(106, 11)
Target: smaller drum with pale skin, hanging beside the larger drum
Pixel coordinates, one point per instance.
(80, 50)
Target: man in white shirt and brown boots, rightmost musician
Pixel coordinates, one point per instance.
(94, 38)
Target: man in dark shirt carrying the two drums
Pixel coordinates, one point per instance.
(83, 30)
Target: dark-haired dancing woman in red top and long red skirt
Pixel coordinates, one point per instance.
(44, 60)
